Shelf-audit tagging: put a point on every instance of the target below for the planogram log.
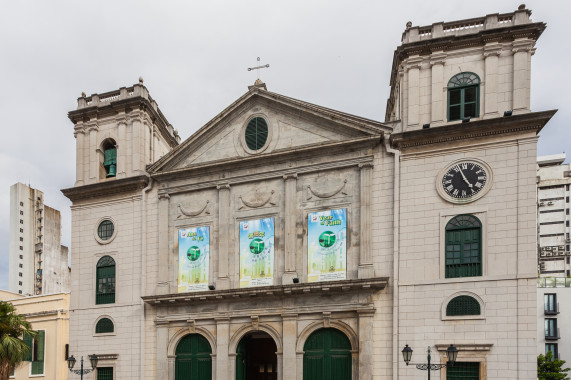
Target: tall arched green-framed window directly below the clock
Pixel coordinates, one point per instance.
(463, 247)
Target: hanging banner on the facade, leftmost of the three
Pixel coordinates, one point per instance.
(193, 259)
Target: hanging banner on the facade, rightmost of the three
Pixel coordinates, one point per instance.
(327, 245)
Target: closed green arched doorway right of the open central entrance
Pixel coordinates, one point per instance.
(327, 356)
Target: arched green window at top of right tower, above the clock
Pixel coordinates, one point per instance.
(463, 96)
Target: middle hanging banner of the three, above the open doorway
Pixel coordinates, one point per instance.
(257, 252)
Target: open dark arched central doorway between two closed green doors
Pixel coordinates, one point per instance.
(256, 357)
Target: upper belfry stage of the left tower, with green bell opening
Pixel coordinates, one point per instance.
(118, 133)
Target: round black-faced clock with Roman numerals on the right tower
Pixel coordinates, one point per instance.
(464, 180)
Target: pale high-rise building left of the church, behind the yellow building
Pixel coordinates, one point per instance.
(38, 263)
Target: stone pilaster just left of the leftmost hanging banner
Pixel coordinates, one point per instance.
(164, 236)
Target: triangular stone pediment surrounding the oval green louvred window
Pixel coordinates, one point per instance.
(291, 124)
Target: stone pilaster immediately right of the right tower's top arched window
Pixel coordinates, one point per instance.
(491, 56)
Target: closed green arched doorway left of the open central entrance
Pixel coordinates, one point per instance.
(193, 358)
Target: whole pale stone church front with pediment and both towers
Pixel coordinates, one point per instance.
(284, 240)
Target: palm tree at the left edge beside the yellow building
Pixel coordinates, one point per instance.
(12, 348)
